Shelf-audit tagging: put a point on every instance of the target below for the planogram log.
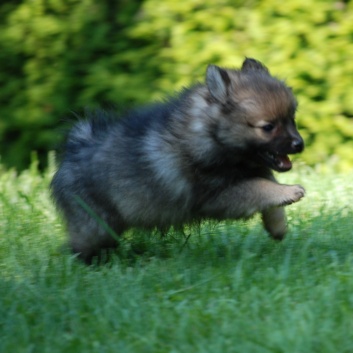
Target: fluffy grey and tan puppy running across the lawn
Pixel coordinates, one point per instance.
(207, 153)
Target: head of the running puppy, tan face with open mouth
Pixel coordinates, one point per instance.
(256, 115)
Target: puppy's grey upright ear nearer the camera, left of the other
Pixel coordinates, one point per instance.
(217, 81)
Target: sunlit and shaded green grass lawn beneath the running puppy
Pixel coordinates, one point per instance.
(229, 289)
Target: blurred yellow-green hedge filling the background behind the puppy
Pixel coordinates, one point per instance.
(59, 56)
